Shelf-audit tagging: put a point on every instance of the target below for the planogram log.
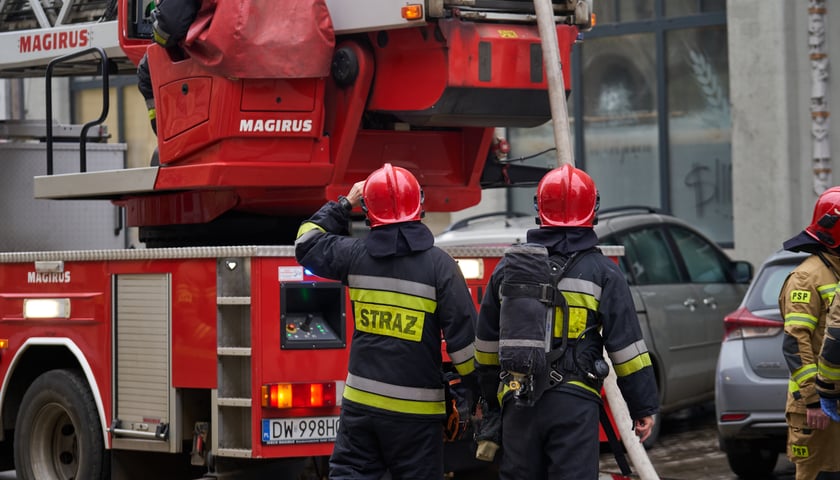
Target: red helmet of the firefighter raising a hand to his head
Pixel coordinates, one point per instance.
(392, 195)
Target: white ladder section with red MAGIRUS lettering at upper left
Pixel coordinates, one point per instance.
(33, 32)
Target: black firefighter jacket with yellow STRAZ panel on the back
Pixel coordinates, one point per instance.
(404, 292)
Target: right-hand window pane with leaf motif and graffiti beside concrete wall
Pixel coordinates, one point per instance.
(699, 130)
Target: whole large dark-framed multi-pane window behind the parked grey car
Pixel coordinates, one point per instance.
(651, 119)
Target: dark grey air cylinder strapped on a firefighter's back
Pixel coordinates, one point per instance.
(524, 309)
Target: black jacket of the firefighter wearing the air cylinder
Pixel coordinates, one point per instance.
(598, 297)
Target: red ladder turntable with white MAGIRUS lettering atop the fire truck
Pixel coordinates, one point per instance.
(422, 92)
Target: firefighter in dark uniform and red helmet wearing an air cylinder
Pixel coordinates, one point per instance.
(554, 434)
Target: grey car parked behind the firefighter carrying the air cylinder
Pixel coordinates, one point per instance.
(680, 280)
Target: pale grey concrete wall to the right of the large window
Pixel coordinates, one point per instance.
(770, 86)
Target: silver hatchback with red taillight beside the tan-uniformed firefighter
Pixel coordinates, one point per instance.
(752, 376)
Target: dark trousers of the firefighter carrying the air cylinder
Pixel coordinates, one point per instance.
(555, 439)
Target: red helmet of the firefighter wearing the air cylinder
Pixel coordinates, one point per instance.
(566, 197)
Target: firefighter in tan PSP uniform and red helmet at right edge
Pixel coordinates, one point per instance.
(804, 302)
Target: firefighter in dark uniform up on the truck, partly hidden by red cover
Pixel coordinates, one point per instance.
(171, 21)
